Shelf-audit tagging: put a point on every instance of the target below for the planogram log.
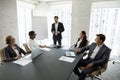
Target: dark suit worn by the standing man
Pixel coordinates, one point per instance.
(57, 37)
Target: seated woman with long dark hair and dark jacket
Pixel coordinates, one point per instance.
(81, 42)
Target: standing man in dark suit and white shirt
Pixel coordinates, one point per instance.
(57, 29)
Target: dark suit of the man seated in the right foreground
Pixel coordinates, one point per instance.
(101, 58)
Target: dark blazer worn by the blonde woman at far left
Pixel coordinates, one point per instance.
(10, 53)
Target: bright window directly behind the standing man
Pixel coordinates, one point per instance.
(63, 11)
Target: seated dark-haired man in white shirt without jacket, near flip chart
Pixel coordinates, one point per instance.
(32, 43)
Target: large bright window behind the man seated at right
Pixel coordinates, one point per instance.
(107, 21)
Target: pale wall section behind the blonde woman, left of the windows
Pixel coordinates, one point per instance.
(8, 20)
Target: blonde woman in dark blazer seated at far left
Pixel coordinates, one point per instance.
(12, 51)
